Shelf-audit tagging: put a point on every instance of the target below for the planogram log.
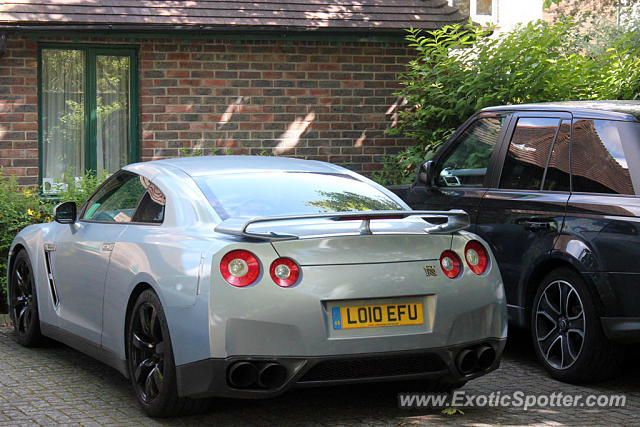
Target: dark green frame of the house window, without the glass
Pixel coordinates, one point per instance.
(90, 134)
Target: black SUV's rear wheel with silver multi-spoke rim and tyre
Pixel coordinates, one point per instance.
(566, 330)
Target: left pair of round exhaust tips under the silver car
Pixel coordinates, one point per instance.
(252, 375)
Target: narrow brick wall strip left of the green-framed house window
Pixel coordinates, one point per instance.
(18, 111)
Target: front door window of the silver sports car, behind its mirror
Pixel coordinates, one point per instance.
(117, 199)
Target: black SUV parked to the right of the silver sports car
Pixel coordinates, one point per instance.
(553, 189)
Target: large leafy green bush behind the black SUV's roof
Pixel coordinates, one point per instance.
(460, 69)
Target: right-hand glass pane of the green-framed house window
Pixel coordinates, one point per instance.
(112, 101)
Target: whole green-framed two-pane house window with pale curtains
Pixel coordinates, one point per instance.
(87, 110)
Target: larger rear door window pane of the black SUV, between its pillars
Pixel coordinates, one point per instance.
(528, 153)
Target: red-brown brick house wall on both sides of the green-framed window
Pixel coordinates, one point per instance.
(329, 101)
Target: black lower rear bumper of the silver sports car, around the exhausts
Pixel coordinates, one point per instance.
(210, 377)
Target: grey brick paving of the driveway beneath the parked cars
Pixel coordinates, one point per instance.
(58, 385)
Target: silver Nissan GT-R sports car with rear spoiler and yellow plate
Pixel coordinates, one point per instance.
(247, 276)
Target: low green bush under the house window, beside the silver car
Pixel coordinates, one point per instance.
(23, 206)
